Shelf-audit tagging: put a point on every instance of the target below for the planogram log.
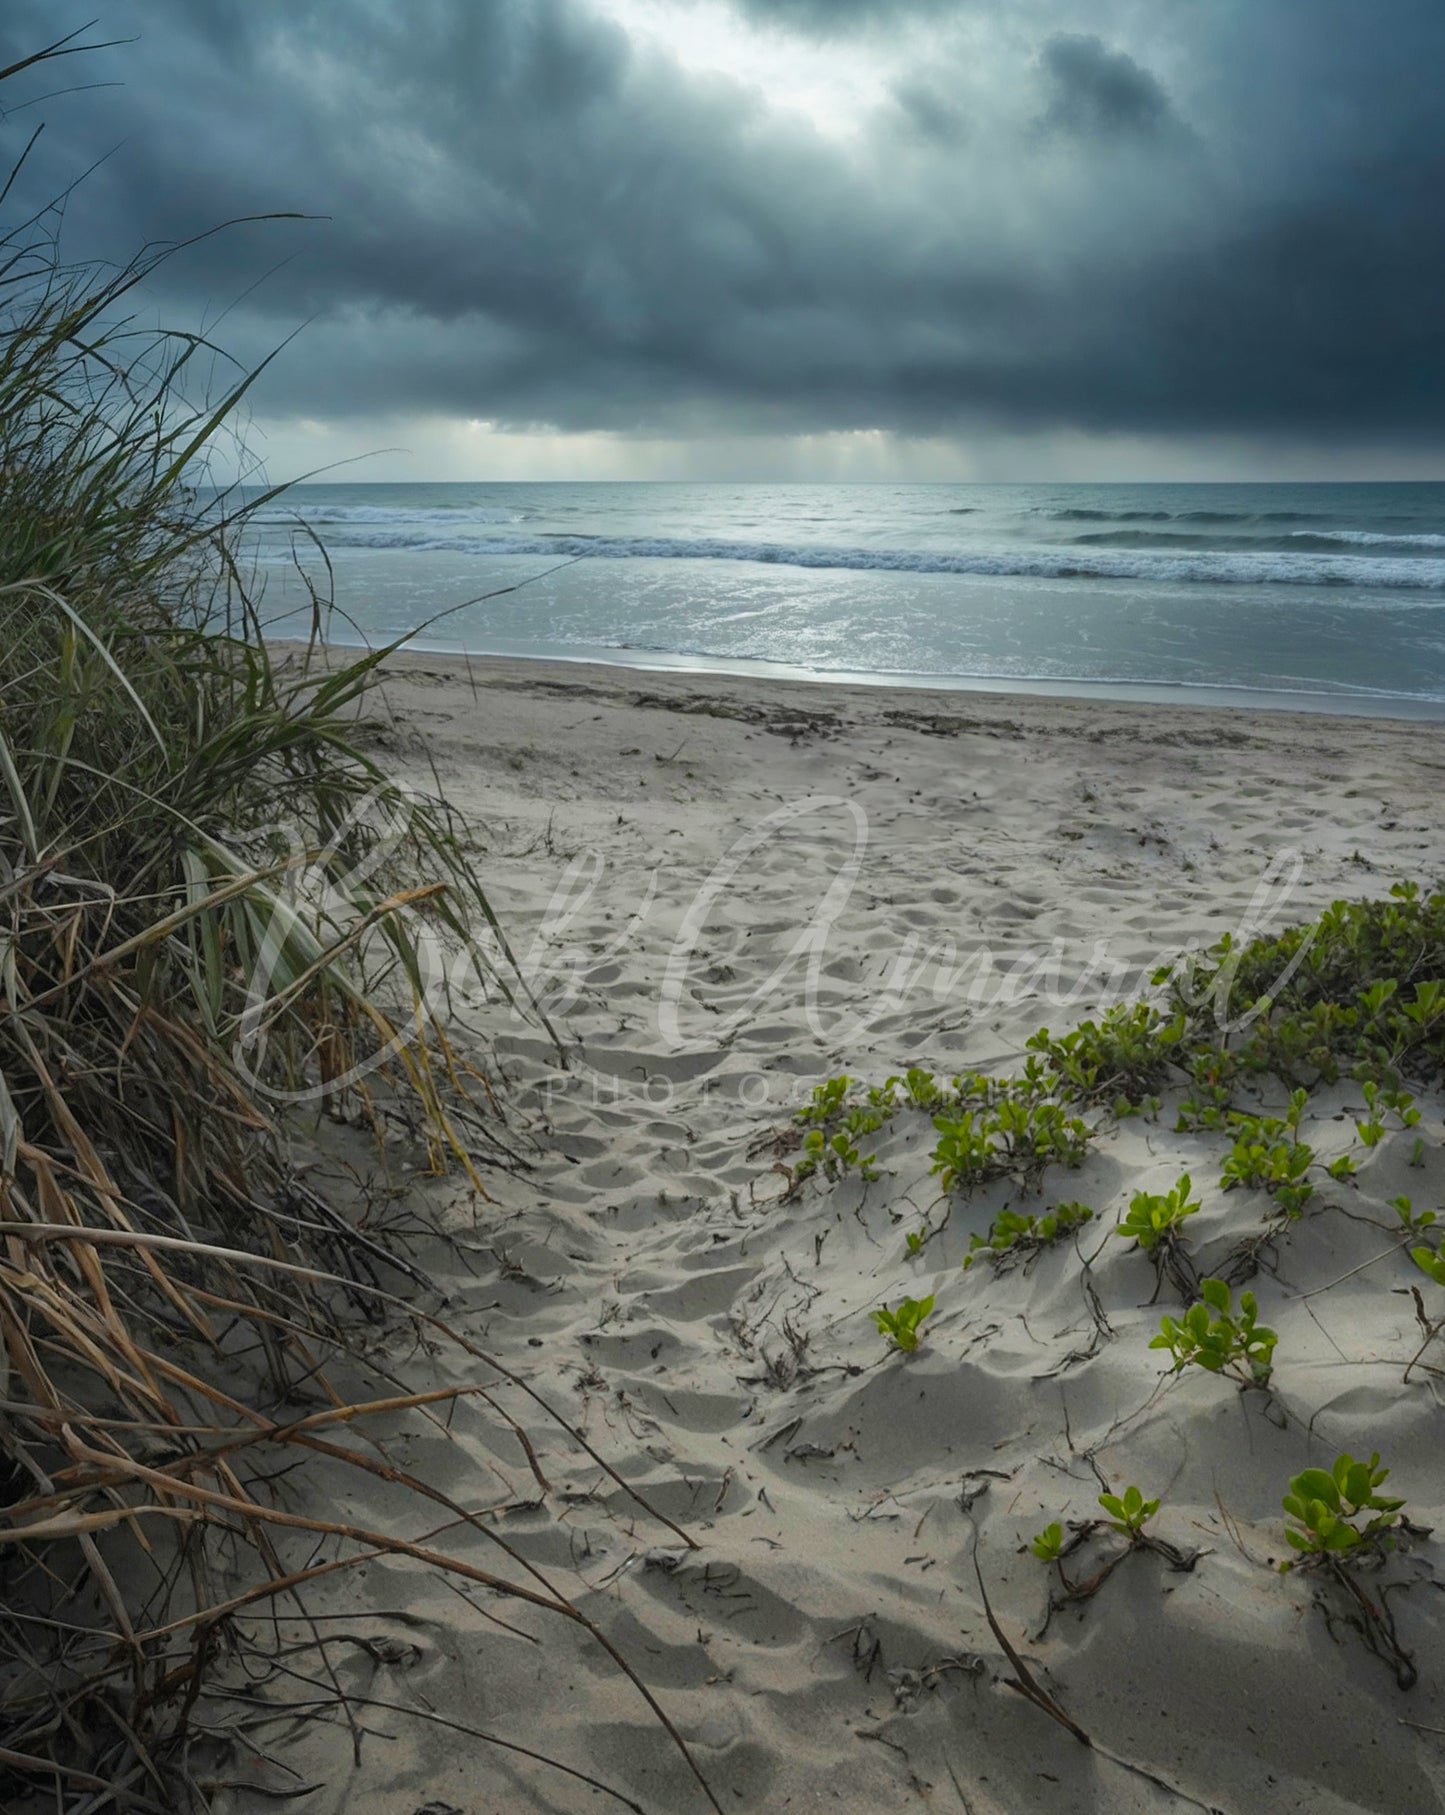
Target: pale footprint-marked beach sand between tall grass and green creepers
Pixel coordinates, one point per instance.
(725, 892)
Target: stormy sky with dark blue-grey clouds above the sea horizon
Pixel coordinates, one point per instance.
(818, 239)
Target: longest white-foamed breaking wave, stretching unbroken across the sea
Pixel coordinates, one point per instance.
(1195, 567)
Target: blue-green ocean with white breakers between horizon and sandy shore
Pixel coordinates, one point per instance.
(1308, 596)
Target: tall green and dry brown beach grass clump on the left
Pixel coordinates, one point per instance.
(219, 916)
